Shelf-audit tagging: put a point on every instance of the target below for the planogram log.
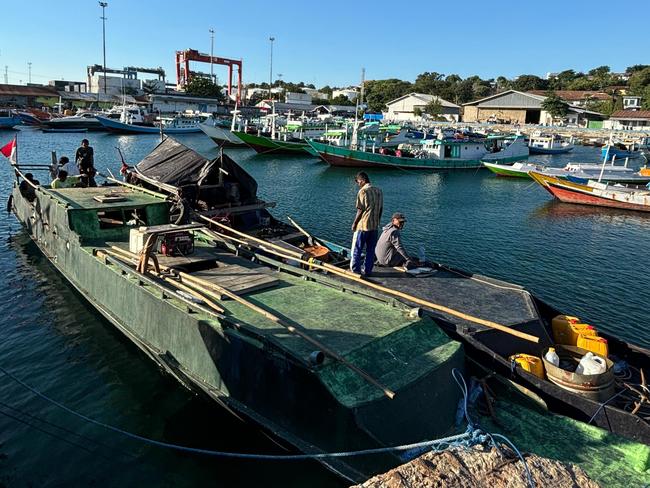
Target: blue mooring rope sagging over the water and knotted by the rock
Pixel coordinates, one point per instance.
(471, 437)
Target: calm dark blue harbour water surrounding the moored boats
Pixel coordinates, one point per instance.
(588, 262)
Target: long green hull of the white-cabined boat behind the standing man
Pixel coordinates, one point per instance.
(346, 157)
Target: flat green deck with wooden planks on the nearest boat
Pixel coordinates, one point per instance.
(339, 320)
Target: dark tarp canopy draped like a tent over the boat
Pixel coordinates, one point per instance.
(175, 164)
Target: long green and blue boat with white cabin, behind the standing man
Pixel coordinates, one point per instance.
(434, 154)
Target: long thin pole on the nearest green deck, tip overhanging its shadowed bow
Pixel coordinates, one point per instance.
(274, 318)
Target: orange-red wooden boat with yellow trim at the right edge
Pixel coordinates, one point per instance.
(595, 193)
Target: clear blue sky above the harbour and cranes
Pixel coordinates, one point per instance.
(325, 42)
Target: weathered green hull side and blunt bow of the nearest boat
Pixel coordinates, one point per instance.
(235, 365)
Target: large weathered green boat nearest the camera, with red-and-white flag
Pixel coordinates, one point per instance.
(320, 366)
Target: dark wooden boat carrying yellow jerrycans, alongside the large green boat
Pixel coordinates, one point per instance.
(493, 319)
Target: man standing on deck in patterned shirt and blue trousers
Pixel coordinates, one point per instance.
(370, 203)
